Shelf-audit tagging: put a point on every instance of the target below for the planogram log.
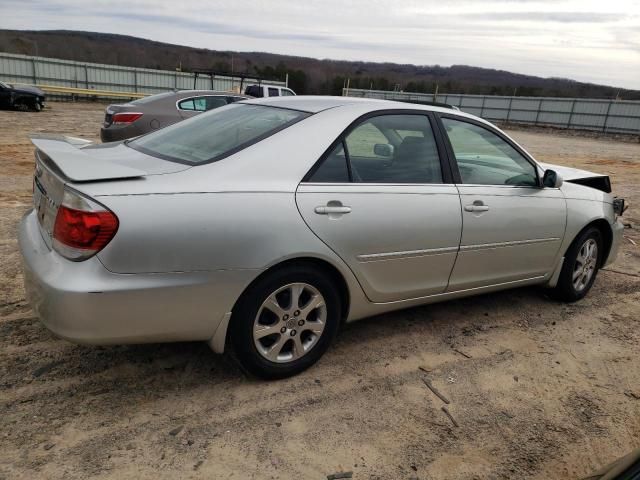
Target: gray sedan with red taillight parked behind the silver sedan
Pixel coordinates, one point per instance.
(128, 120)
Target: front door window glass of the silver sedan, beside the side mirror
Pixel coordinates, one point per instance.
(486, 159)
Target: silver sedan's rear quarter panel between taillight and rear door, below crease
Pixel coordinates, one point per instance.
(215, 232)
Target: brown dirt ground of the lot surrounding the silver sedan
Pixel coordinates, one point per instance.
(538, 389)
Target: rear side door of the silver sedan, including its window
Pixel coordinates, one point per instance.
(382, 199)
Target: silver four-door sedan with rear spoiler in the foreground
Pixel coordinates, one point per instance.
(265, 224)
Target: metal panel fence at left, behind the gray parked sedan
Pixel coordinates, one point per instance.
(95, 76)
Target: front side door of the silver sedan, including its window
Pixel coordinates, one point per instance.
(512, 227)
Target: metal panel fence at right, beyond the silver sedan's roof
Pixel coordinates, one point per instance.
(608, 116)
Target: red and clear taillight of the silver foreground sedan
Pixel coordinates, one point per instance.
(83, 227)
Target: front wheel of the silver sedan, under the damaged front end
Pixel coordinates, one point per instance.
(581, 264)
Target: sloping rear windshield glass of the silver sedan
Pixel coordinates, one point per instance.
(216, 134)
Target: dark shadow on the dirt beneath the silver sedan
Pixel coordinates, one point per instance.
(192, 364)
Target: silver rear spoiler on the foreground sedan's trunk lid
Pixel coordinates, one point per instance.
(65, 155)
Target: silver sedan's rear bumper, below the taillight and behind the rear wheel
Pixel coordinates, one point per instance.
(85, 303)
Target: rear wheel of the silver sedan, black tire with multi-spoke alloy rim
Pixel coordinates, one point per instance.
(285, 322)
